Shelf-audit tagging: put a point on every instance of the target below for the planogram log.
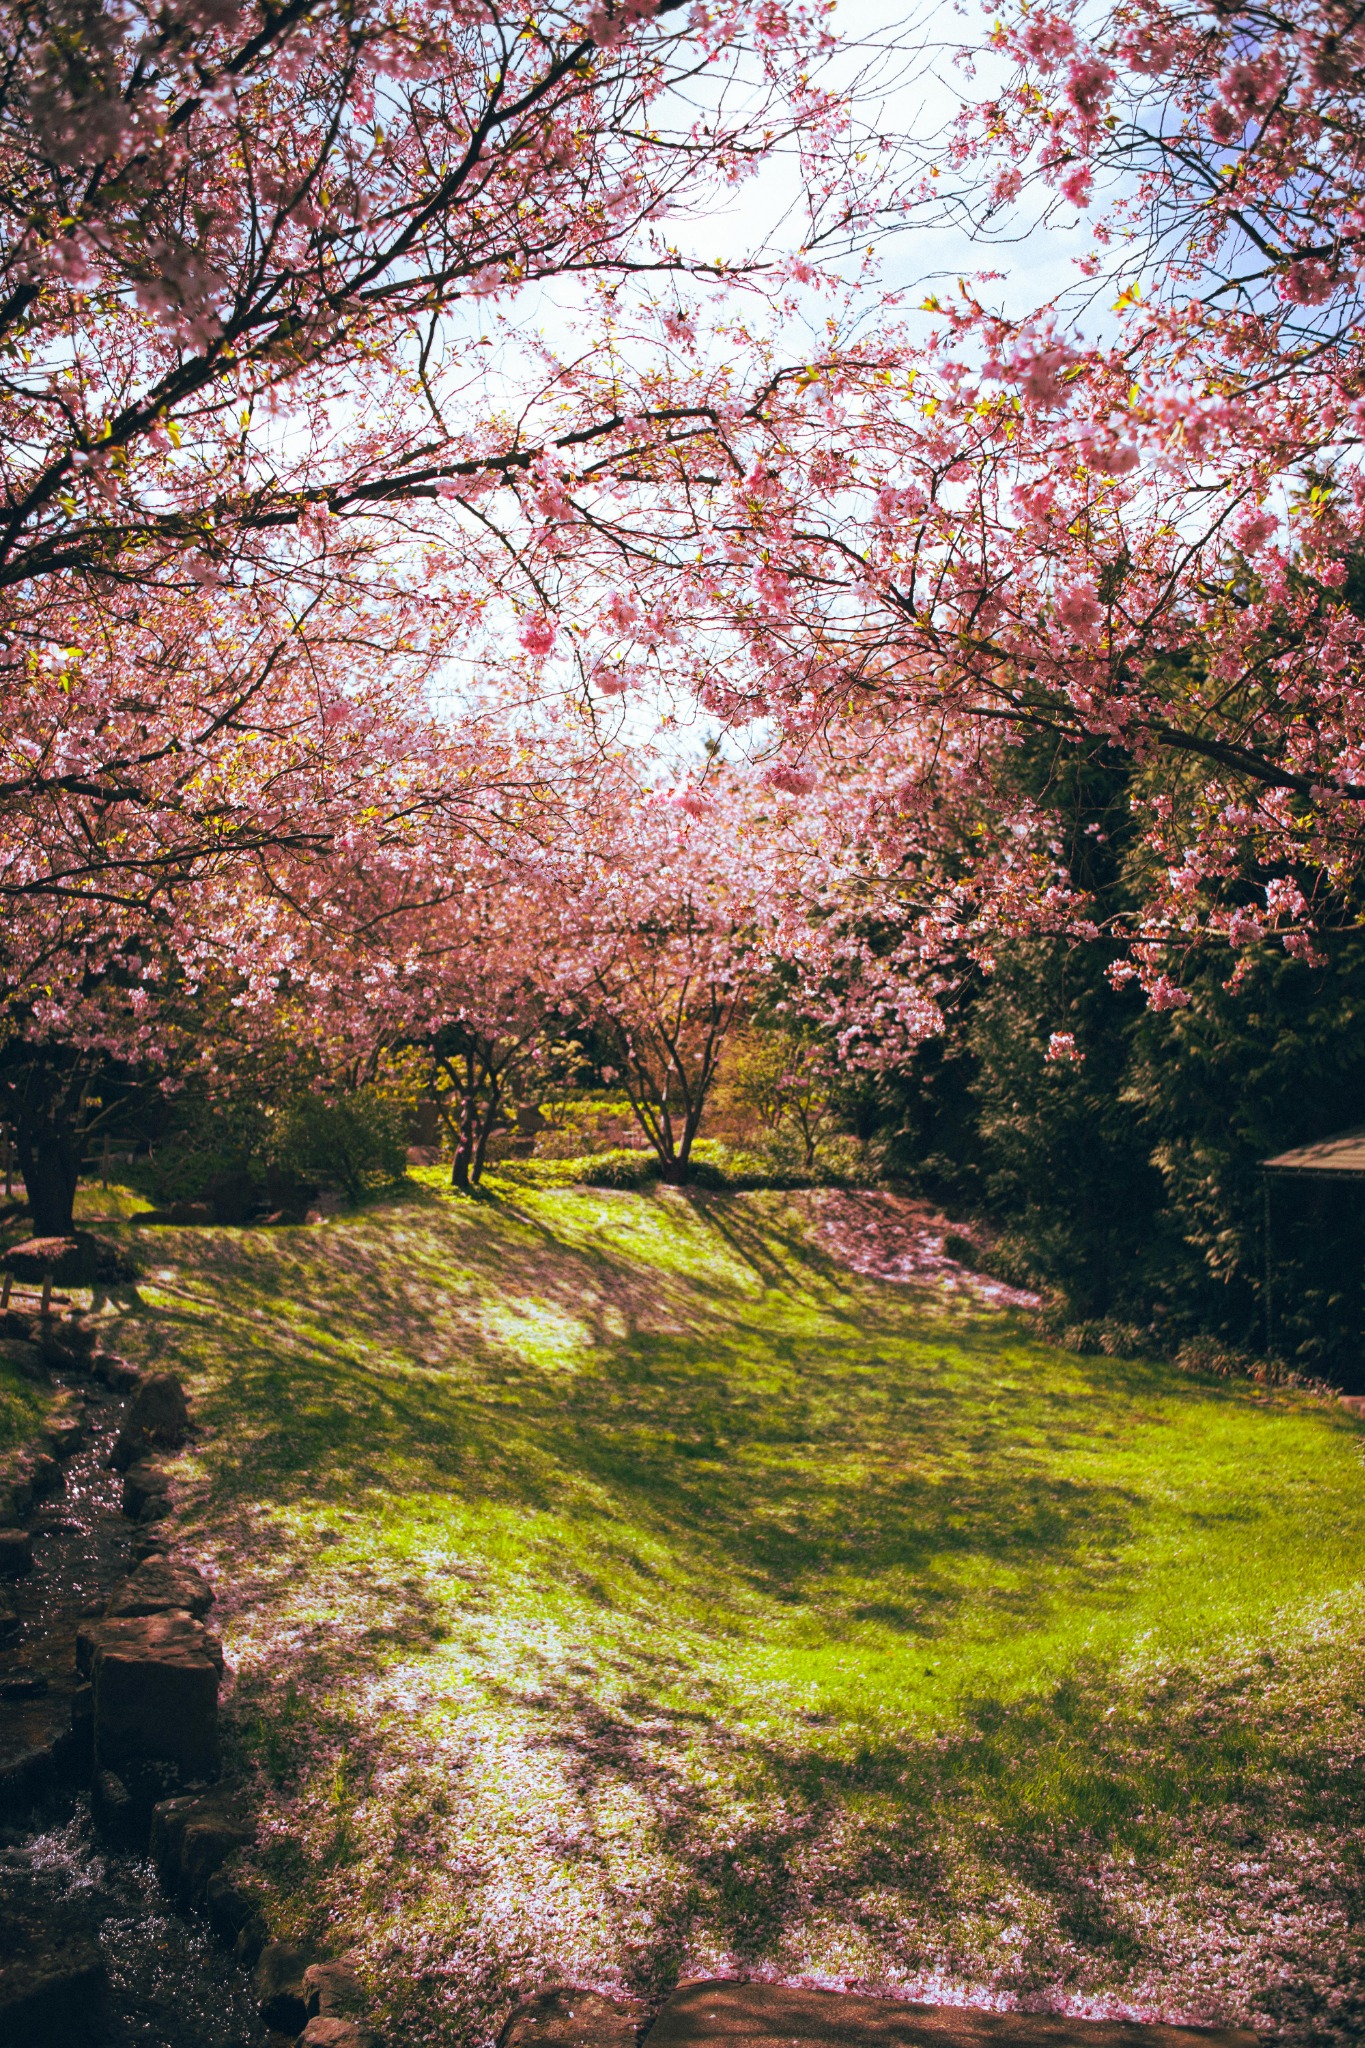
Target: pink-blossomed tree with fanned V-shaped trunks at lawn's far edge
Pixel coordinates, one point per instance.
(687, 912)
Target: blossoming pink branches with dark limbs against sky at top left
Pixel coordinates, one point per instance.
(253, 257)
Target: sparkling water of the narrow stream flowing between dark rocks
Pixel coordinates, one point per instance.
(169, 1983)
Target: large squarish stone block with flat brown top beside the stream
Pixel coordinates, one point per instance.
(157, 1693)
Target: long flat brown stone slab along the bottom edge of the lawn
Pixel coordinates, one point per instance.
(770, 2016)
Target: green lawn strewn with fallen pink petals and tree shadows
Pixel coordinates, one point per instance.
(619, 1588)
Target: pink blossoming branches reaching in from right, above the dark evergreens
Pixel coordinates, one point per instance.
(971, 536)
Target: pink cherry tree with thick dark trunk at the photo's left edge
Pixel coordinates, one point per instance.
(161, 919)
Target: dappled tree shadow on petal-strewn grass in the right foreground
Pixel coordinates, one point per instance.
(1053, 1797)
